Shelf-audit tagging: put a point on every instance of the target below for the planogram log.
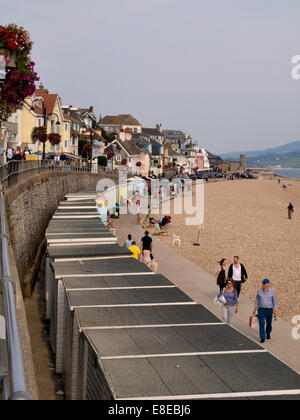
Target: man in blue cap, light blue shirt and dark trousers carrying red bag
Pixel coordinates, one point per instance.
(266, 304)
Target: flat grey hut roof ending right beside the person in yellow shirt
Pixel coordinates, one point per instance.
(80, 251)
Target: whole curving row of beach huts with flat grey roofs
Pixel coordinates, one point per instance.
(119, 331)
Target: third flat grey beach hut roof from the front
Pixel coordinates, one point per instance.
(144, 315)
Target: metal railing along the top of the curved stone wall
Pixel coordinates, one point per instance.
(15, 171)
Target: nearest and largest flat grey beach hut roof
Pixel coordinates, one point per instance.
(205, 376)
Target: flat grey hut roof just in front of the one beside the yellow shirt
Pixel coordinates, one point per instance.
(96, 267)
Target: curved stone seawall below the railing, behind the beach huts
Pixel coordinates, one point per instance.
(30, 206)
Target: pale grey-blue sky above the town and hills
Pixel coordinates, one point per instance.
(219, 70)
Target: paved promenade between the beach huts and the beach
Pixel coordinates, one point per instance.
(201, 286)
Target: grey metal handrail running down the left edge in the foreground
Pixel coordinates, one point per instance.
(17, 388)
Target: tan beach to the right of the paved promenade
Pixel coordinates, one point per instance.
(249, 218)
